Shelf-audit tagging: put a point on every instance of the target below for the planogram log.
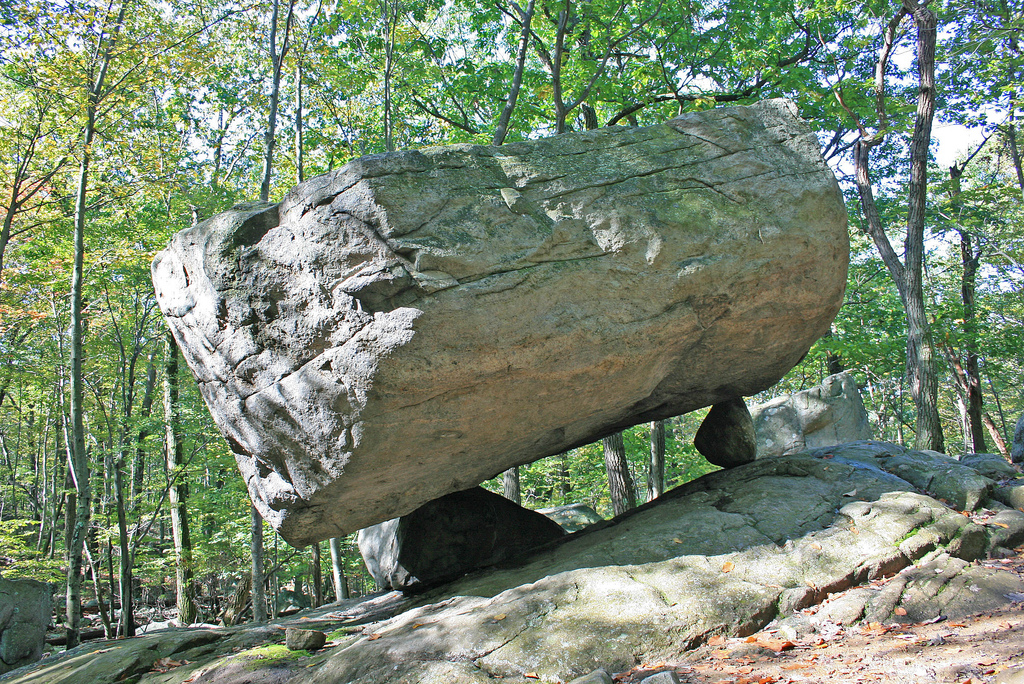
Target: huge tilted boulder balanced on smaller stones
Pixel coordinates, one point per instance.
(417, 323)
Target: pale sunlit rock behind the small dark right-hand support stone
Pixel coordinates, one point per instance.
(832, 413)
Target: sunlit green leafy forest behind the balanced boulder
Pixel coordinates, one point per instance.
(125, 121)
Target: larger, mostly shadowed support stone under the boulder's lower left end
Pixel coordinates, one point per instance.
(449, 537)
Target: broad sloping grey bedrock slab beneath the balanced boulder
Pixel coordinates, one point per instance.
(809, 543)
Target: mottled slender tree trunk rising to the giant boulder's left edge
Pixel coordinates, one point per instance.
(178, 492)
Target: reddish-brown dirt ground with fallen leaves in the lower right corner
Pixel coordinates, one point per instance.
(984, 649)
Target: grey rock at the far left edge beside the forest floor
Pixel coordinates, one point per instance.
(25, 613)
